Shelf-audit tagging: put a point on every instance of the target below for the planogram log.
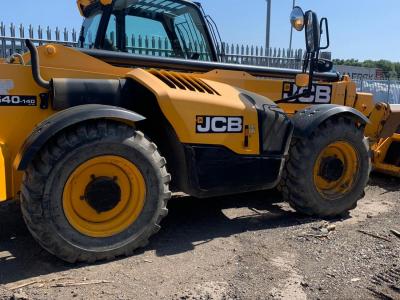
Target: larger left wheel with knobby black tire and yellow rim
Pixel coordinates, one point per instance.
(95, 191)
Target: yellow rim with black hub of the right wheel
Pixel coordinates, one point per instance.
(336, 170)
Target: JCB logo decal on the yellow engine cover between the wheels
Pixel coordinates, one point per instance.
(212, 124)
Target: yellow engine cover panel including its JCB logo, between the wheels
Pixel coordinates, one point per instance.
(217, 118)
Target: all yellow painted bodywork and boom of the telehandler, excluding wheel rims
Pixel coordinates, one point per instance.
(182, 107)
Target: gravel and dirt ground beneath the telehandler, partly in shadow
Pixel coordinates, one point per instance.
(249, 246)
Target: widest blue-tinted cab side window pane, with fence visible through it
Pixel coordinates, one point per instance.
(147, 37)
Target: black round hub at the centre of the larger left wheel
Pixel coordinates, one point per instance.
(103, 194)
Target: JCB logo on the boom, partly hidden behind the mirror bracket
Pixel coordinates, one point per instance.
(320, 94)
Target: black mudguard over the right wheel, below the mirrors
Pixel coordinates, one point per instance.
(308, 119)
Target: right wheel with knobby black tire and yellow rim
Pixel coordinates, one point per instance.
(326, 173)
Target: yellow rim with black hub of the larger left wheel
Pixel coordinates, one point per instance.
(83, 208)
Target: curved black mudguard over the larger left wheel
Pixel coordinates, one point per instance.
(64, 119)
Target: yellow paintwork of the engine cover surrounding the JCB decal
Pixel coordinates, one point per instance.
(182, 107)
